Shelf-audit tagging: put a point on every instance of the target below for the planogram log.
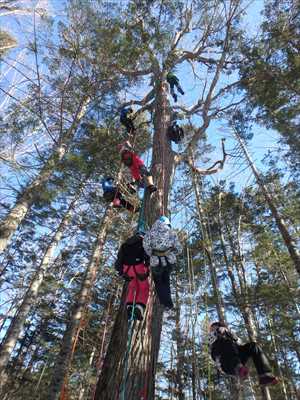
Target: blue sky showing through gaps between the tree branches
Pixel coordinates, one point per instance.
(22, 26)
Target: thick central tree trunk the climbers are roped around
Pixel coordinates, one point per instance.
(144, 349)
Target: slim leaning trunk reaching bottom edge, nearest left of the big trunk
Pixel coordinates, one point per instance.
(63, 359)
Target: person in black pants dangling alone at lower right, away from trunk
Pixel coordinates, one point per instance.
(231, 357)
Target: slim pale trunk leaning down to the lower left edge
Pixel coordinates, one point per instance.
(30, 297)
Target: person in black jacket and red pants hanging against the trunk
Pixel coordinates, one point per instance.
(133, 264)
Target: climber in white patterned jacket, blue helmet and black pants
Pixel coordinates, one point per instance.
(162, 245)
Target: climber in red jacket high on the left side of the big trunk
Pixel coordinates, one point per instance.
(139, 172)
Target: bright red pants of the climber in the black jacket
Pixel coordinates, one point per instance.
(138, 290)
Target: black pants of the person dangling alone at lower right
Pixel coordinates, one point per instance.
(232, 354)
